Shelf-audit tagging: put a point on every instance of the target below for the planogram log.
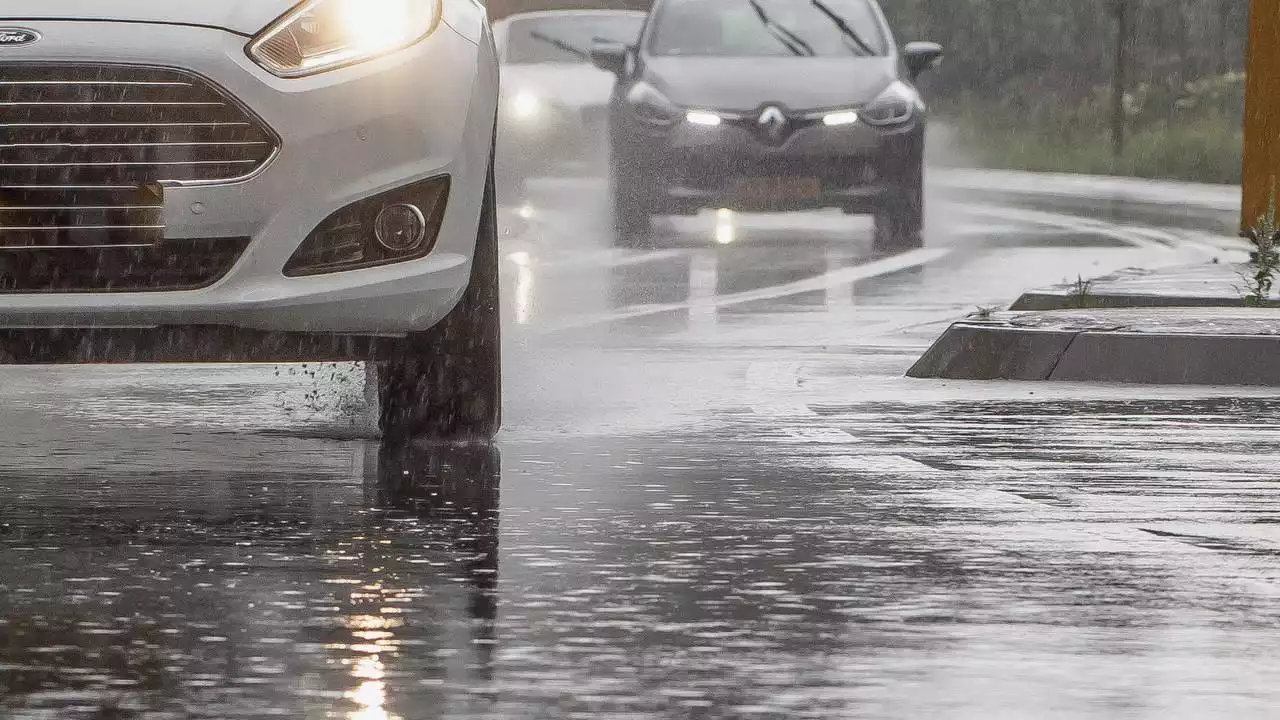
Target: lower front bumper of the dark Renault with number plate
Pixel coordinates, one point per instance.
(856, 168)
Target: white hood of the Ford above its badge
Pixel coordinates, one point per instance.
(246, 17)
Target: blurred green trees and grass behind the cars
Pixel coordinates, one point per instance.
(1030, 84)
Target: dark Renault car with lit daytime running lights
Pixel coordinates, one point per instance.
(764, 106)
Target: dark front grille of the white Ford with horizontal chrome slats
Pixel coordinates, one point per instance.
(85, 154)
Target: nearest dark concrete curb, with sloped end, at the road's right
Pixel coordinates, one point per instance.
(977, 352)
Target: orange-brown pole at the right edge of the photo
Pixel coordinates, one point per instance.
(1261, 110)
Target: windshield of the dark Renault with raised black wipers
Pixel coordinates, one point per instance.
(762, 29)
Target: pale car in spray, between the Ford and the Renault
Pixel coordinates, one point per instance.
(555, 103)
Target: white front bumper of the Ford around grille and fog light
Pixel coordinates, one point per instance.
(345, 136)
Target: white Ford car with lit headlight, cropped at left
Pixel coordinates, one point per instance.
(257, 180)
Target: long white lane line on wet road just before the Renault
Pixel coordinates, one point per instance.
(845, 276)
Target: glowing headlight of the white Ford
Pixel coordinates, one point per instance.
(324, 35)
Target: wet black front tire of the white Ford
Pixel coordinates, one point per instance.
(446, 384)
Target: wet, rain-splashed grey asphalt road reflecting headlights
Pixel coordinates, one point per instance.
(716, 498)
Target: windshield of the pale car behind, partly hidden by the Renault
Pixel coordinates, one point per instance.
(569, 39)
